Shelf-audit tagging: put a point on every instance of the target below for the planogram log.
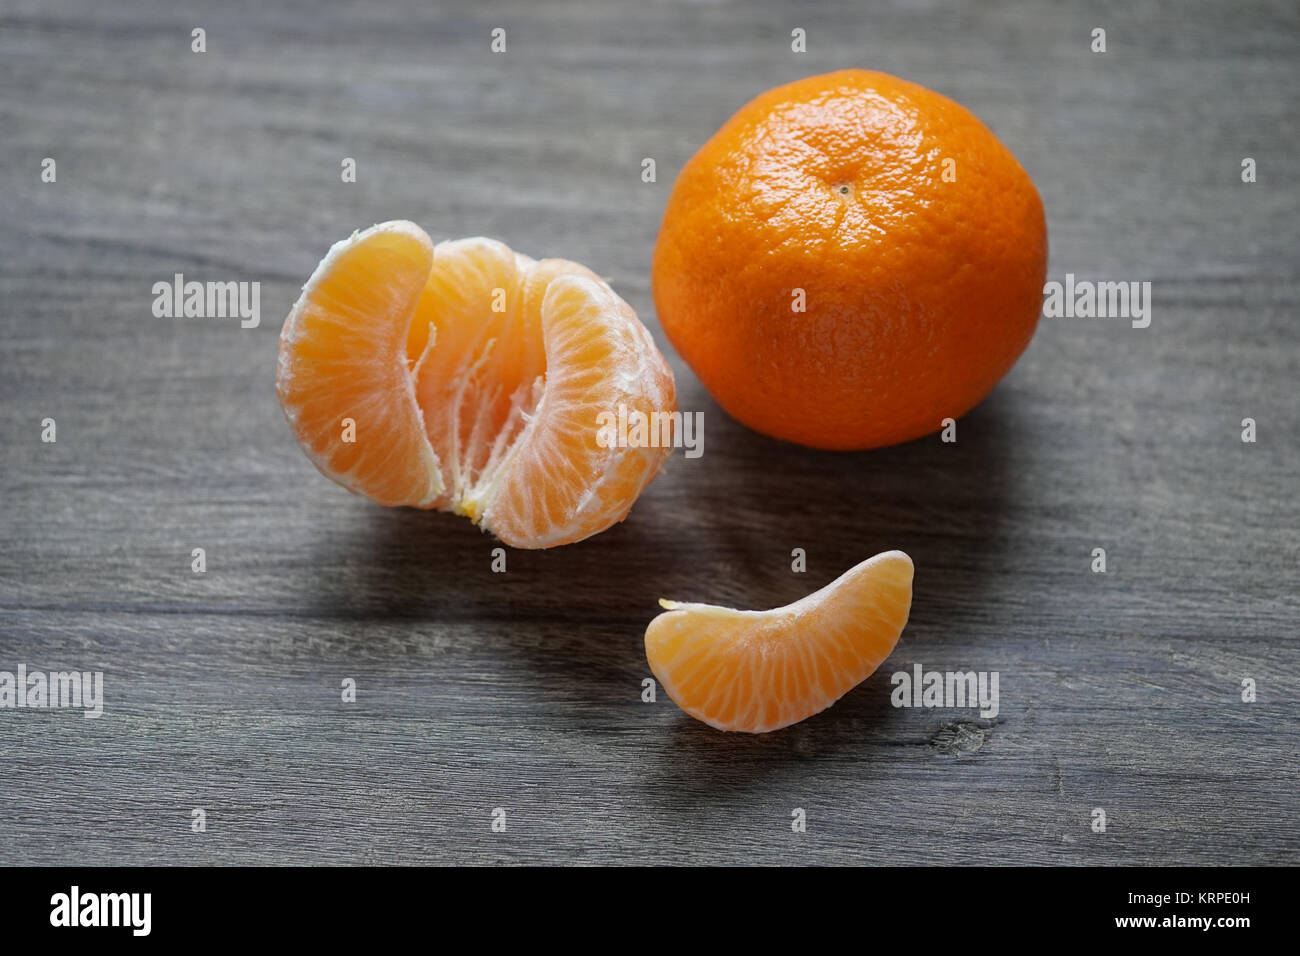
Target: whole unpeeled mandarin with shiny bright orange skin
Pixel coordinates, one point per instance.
(850, 261)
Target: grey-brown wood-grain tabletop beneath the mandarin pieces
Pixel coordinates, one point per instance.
(522, 691)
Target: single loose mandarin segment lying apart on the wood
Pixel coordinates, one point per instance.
(757, 672)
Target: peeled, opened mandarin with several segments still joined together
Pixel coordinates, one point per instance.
(469, 378)
